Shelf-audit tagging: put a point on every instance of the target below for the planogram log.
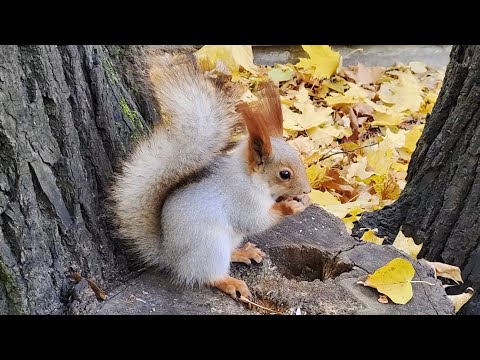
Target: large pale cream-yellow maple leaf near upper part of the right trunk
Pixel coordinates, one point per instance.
(404, 93)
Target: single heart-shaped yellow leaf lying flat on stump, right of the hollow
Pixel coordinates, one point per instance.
(393, 280)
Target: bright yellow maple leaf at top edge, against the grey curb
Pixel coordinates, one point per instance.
(323, 60)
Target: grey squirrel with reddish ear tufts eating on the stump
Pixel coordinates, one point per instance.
(181, 203)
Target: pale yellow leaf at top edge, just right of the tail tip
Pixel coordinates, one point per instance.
(233, 56)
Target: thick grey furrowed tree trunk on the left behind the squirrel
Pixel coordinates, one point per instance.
(65, 114)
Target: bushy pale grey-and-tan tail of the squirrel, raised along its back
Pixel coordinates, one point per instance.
(198, 117)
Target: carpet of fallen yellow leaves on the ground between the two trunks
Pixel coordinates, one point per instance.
(354, 127)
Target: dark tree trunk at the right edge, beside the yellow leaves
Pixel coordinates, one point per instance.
(440, 205)
